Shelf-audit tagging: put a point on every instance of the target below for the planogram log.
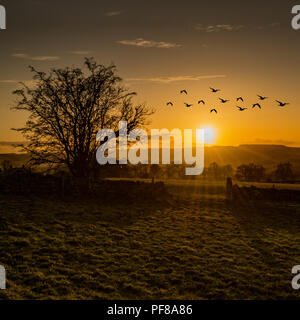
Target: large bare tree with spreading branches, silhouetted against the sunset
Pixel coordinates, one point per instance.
(67, 107)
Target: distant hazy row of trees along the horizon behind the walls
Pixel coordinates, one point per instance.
(246, 172)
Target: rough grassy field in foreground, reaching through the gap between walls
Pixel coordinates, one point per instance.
(195, 245)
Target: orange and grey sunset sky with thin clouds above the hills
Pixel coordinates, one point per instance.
(244, 48)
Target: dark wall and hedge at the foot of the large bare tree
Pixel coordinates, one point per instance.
(61, 184)
